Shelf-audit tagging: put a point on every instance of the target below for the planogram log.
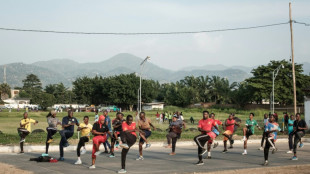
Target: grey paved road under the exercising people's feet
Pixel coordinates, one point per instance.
(157, 160)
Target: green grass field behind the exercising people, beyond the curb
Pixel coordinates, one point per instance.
(9, 122)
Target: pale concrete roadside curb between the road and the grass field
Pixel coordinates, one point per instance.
(54, 148)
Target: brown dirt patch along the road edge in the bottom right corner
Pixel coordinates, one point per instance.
(300, 169)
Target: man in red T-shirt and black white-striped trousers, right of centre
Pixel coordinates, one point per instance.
(205, 127)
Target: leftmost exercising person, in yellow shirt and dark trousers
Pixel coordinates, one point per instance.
(25, 129)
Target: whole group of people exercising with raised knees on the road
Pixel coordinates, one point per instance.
(124, 133)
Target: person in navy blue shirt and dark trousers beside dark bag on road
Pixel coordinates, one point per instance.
(68, 123)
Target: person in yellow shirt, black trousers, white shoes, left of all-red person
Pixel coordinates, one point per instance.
(85, 129)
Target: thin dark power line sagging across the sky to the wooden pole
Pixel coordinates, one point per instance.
(151, 33)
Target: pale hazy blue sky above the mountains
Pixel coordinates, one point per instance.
(243, 47)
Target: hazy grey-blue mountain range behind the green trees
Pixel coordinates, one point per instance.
(65, 70)
